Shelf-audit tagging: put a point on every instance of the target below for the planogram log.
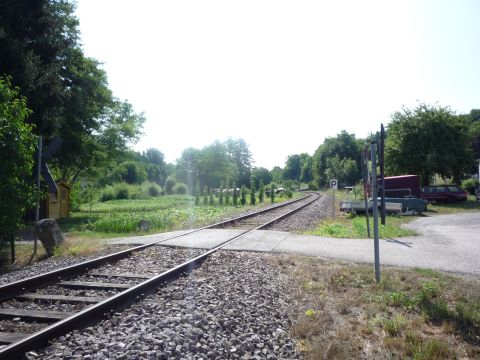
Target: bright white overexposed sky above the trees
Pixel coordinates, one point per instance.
(283, 75)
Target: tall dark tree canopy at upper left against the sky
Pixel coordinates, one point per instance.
(67, 92)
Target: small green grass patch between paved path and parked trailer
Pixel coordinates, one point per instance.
(355, 227)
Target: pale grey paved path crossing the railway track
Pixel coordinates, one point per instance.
(447, 242)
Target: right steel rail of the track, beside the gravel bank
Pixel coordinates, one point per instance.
(122, 300)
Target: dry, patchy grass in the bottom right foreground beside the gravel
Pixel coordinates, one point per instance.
(411, 314)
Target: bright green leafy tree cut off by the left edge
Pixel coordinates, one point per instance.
(17, 147)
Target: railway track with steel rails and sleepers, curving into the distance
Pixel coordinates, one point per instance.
(73, 297)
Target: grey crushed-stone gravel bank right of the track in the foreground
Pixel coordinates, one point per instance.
(235, 306)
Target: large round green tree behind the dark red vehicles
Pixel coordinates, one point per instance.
(427, 140)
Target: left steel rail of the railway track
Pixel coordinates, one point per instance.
(13, 289)
